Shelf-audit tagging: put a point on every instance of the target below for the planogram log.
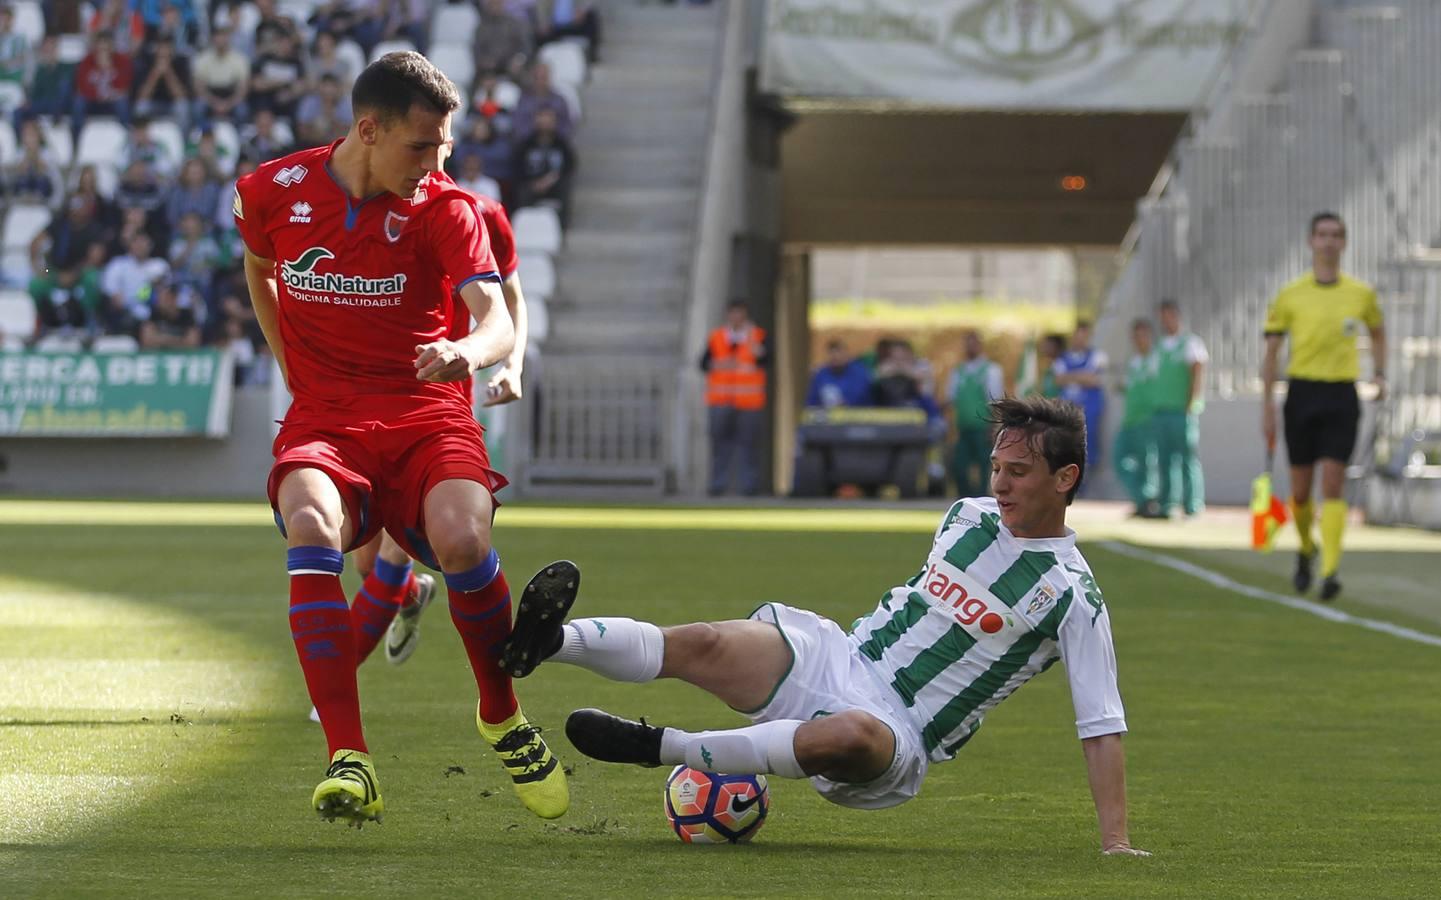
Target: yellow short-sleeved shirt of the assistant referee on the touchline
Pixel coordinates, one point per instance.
(1324, 322)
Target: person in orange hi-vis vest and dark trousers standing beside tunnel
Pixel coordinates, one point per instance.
(736, 365)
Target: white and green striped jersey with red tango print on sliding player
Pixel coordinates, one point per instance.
(989, 613)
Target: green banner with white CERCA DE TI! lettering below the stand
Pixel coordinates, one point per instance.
(116, 395)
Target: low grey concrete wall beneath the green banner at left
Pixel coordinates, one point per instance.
(149, 467)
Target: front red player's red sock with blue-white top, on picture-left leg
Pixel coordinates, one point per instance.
(321, 627)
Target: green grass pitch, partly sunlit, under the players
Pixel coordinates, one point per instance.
(153, 735)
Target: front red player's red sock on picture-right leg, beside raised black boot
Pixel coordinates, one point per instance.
(481, 608)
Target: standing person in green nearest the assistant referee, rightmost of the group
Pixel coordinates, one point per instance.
(1179, 398)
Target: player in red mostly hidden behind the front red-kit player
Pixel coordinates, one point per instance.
(393, 597)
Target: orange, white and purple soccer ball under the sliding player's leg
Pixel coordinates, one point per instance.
(713, 809)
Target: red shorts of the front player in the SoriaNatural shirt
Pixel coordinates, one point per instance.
(385, 469)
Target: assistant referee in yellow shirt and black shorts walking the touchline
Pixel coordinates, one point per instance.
(1324, 313)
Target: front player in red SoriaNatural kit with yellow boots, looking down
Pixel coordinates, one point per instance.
(354, 256)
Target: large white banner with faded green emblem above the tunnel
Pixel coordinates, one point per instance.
(1064, 55)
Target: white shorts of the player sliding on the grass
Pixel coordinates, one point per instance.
(826, 678)
